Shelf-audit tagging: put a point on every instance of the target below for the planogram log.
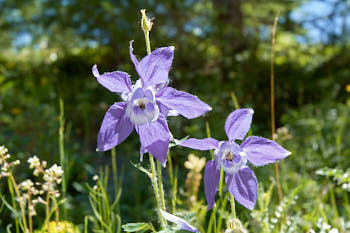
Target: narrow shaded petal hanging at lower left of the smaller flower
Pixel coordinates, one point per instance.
(211, 182)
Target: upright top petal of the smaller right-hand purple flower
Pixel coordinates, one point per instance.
(238, 123)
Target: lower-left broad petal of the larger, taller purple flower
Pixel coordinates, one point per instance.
(115, 128)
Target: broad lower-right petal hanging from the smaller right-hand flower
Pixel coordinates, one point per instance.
(243, 186)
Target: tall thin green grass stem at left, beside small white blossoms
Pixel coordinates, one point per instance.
(62, 154)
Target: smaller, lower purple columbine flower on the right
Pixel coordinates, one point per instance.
(232, 158)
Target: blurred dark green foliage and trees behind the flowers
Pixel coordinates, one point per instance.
(221, 47)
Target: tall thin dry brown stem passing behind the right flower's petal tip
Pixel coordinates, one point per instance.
(272, 102)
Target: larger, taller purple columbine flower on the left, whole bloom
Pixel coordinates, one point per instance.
(146, 104)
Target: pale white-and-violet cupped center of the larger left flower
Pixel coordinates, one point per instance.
(142, 107)
